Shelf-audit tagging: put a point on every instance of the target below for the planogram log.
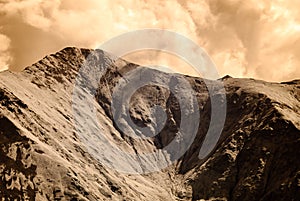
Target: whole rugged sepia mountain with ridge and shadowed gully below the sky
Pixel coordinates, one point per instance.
(59, 129)
